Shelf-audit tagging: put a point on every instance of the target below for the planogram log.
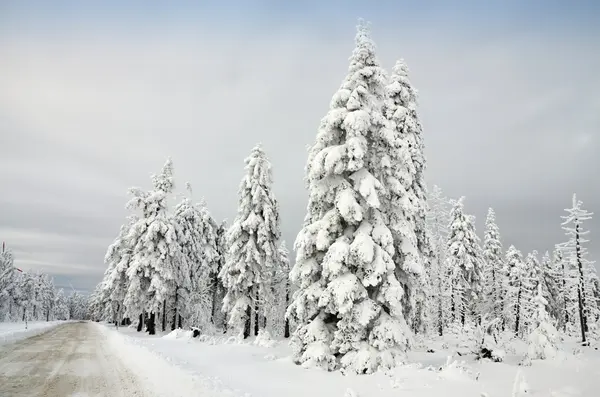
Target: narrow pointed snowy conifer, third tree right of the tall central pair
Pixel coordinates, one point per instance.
(493, 274)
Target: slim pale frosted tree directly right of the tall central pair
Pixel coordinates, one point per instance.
(439, 298)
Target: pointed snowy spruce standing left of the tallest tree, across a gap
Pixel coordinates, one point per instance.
(252, 242)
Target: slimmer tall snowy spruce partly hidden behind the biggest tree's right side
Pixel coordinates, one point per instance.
(402, 163)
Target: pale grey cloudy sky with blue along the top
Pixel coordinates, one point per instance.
(94, 96)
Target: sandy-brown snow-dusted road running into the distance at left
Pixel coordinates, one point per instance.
(69, 360)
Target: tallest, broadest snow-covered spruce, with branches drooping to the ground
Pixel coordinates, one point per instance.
(348, 306)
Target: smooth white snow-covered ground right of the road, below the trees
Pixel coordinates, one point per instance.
(221, 367)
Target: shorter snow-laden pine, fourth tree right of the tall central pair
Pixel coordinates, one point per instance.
(518, 294)
